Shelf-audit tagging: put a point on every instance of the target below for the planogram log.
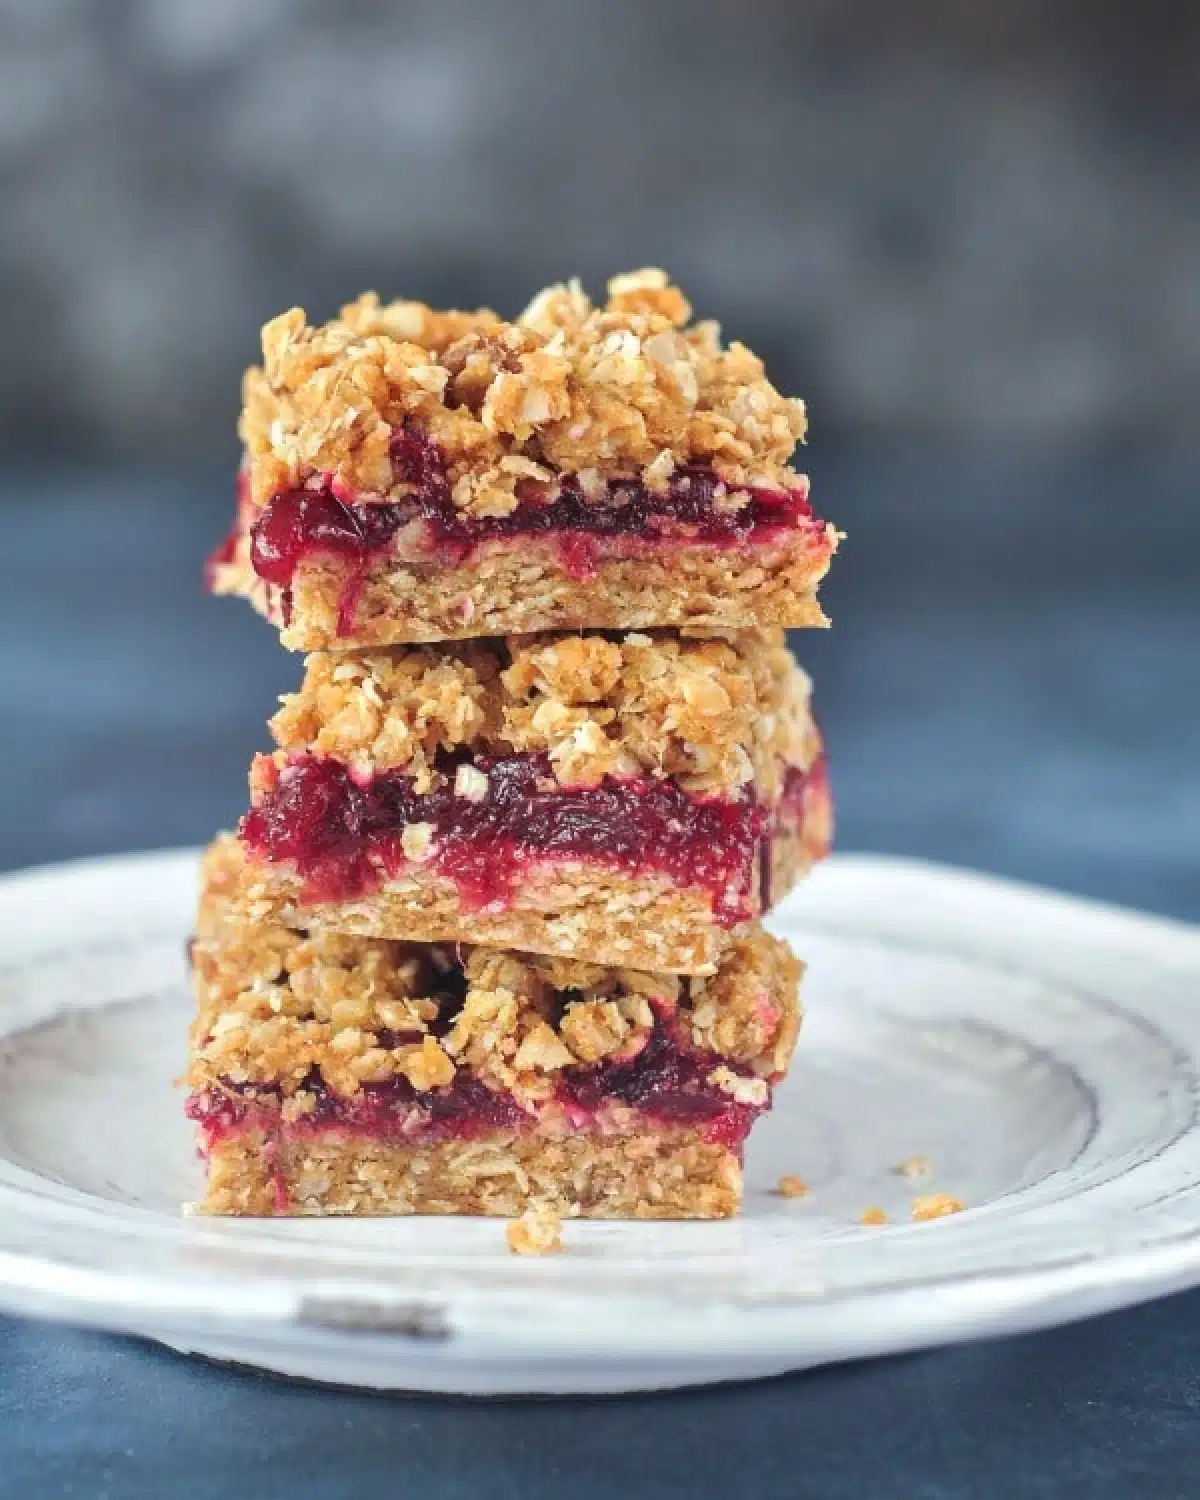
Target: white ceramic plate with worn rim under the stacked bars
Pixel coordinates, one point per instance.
(1040, 1051)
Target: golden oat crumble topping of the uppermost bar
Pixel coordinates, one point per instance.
(568, 388)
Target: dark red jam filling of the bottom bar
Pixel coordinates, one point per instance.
(668, 1084)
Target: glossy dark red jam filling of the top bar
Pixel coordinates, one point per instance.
(316, 521)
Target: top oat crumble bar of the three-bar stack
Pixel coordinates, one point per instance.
(416, 476)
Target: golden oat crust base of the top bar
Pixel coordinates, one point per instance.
(517, 590)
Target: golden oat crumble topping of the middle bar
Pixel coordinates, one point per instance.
(713, 713)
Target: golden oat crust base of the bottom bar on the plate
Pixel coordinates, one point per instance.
(653, 1175)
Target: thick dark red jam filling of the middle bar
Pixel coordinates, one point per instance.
(344, 836)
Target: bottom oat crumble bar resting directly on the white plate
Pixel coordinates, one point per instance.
(361, 1076)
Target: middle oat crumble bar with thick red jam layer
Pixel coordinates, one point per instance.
(616, 799)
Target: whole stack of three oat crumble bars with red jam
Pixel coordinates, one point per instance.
(488, 937)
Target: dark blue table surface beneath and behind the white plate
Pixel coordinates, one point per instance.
(1013, 683)
